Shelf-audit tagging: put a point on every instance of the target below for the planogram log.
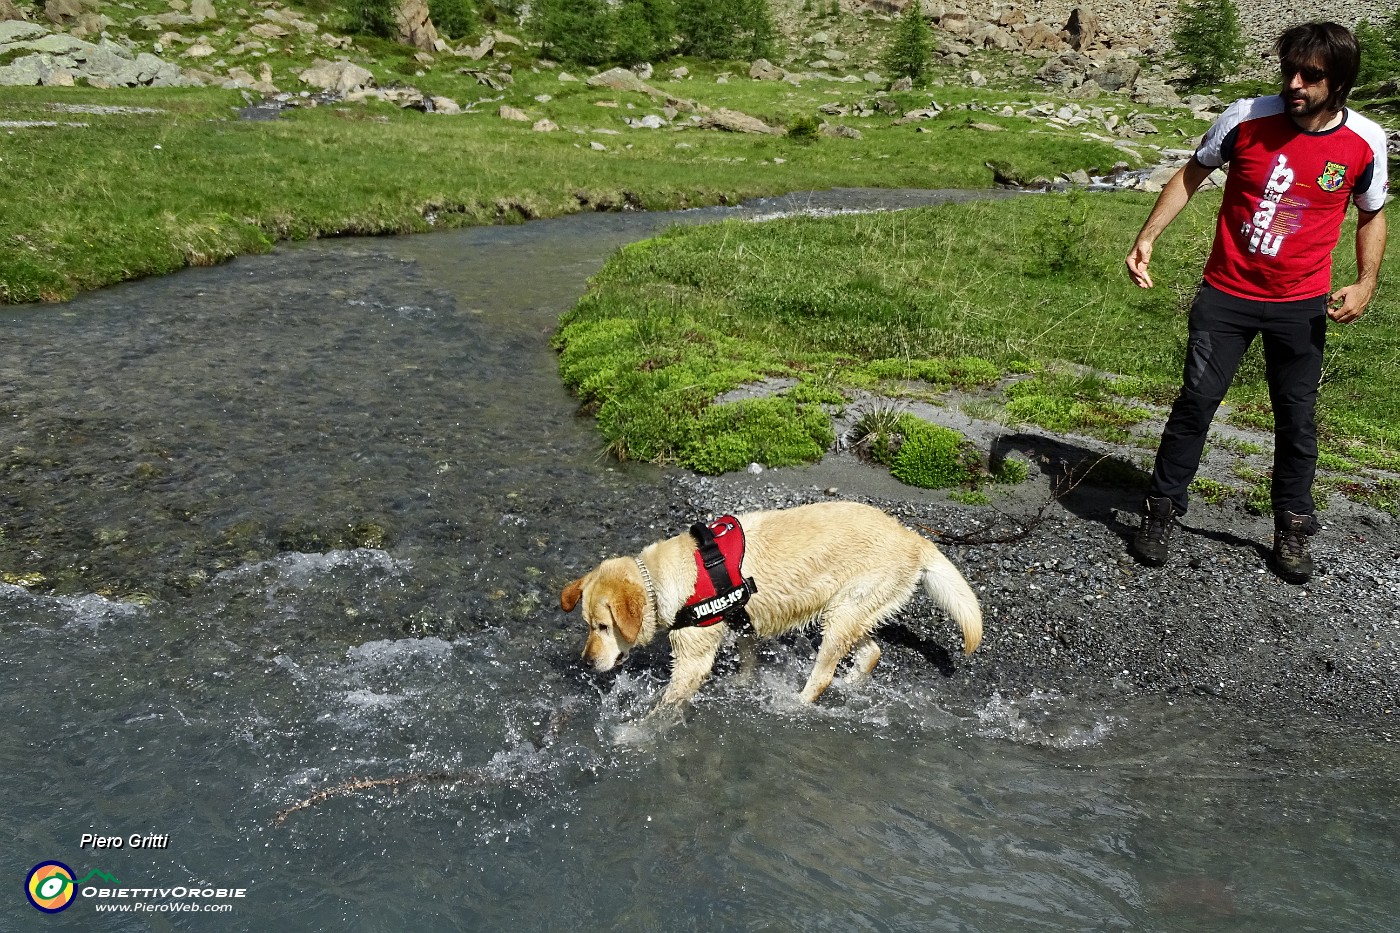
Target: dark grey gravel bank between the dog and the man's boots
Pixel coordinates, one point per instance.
(1067, 610)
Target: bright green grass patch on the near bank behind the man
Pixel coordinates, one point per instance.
(880, 299)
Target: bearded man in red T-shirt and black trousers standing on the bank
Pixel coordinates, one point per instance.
(1296, 162)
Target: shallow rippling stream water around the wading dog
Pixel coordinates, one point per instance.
(195, 464)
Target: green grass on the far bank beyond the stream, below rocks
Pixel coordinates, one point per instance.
(191, 184)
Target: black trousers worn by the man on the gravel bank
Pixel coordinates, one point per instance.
(1221, 330)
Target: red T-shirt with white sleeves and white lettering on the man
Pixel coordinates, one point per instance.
(1286, 197)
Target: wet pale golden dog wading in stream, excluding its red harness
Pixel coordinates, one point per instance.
(848, 565)
